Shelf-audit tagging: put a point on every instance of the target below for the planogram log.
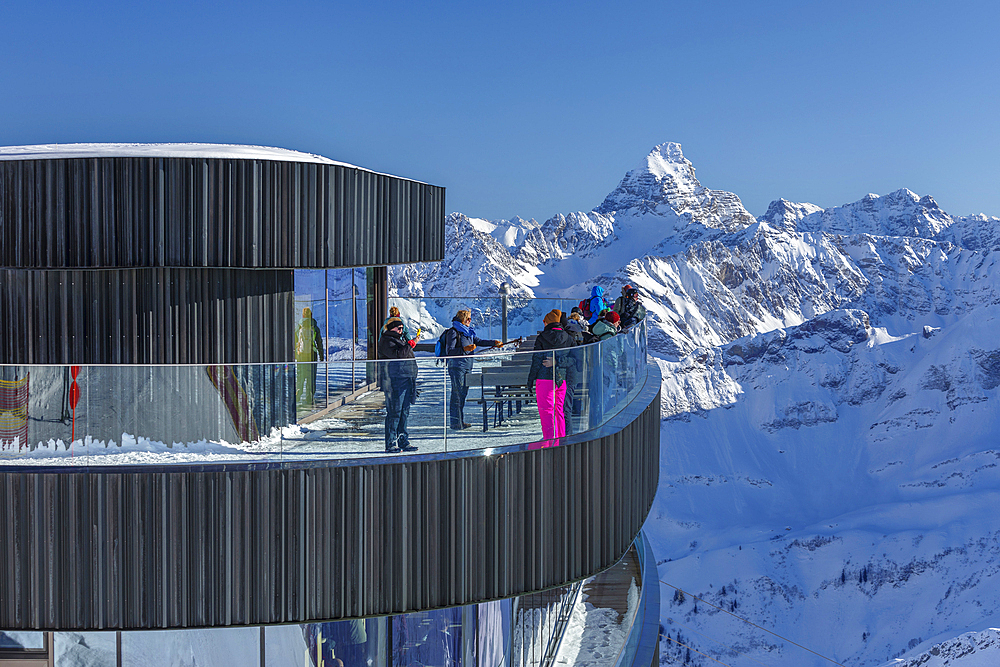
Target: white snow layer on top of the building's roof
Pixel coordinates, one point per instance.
(216, 151)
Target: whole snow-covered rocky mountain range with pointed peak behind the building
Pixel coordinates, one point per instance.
(831, 457)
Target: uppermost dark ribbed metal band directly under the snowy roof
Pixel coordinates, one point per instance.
(135, 212)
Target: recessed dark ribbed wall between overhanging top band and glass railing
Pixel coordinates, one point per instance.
(146, 316)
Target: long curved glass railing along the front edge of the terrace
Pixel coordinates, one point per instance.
(164, 415)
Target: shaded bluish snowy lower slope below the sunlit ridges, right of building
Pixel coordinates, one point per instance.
(833, 477)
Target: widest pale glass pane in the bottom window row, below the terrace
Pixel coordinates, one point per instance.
(221, 646)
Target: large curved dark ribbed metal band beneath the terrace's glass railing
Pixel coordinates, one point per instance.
(231, 545)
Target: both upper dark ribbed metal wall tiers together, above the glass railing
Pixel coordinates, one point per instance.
(166, 260)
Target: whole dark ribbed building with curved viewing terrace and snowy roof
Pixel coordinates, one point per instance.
(149, 307)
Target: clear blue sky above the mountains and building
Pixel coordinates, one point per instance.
(533, 109)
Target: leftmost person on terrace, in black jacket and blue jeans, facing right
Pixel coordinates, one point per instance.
(398, 379)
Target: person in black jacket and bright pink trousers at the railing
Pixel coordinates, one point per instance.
(548, 374)
